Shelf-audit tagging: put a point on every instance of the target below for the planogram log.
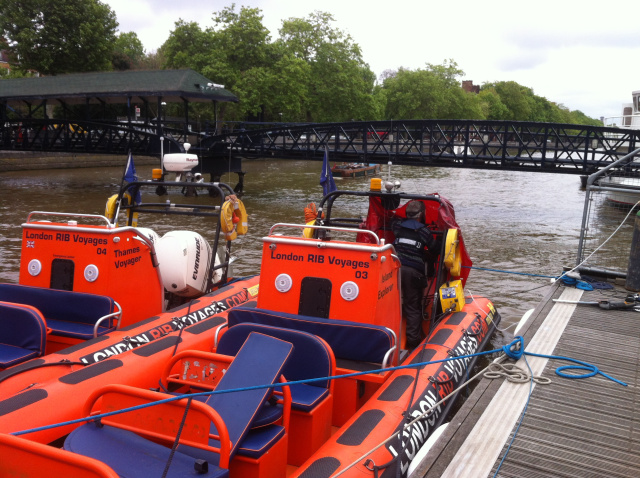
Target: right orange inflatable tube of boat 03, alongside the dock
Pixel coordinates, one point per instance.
(382, 416)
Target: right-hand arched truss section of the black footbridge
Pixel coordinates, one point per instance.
(458, 143)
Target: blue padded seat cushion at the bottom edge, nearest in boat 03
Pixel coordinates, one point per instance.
(132, 456)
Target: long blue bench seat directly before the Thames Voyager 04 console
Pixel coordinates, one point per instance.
(68, 314)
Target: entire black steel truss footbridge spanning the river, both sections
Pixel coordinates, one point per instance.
(508, 145)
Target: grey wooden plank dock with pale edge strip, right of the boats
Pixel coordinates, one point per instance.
(572, 428)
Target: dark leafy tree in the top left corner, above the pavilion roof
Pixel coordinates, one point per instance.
(61, 36)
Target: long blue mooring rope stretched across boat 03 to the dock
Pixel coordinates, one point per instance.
(514, 350)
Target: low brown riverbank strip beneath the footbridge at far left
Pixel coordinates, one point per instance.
(34, 160)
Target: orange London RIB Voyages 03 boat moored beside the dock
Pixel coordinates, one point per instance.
(307, 379)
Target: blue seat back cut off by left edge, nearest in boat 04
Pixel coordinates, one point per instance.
(23, 333)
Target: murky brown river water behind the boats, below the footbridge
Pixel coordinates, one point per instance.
(520, 222)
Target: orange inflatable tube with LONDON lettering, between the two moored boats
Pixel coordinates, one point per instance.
(52, 389)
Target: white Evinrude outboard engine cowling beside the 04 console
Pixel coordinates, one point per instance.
(184, 258)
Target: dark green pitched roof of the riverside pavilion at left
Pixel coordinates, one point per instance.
(115, 87)
